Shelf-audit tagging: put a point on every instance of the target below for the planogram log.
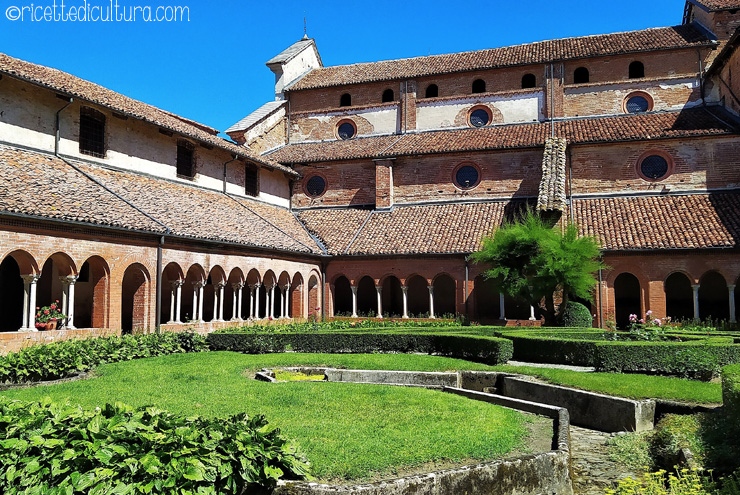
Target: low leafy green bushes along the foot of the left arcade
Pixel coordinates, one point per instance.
(67, 358)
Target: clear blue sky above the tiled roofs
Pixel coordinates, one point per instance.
(212, 68)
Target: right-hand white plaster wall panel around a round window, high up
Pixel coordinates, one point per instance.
(441, 114)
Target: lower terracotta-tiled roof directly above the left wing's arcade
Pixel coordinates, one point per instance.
(46, 187)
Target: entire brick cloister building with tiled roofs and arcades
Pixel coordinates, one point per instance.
(363, 189)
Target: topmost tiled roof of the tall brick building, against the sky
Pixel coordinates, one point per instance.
(684, 36)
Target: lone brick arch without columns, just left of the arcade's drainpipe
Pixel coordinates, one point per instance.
(135, 296)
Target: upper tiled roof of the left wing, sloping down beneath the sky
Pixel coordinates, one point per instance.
(68, 84)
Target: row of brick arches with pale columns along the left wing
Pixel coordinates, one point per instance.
(90, 296)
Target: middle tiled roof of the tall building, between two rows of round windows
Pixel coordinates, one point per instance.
(693, 122)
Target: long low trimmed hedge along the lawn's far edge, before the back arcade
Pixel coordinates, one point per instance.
(490, 350)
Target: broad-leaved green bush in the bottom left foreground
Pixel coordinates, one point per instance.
(52, 448)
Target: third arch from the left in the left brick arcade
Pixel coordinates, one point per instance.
(92, 289)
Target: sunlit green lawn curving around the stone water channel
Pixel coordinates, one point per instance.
(348, 431)
